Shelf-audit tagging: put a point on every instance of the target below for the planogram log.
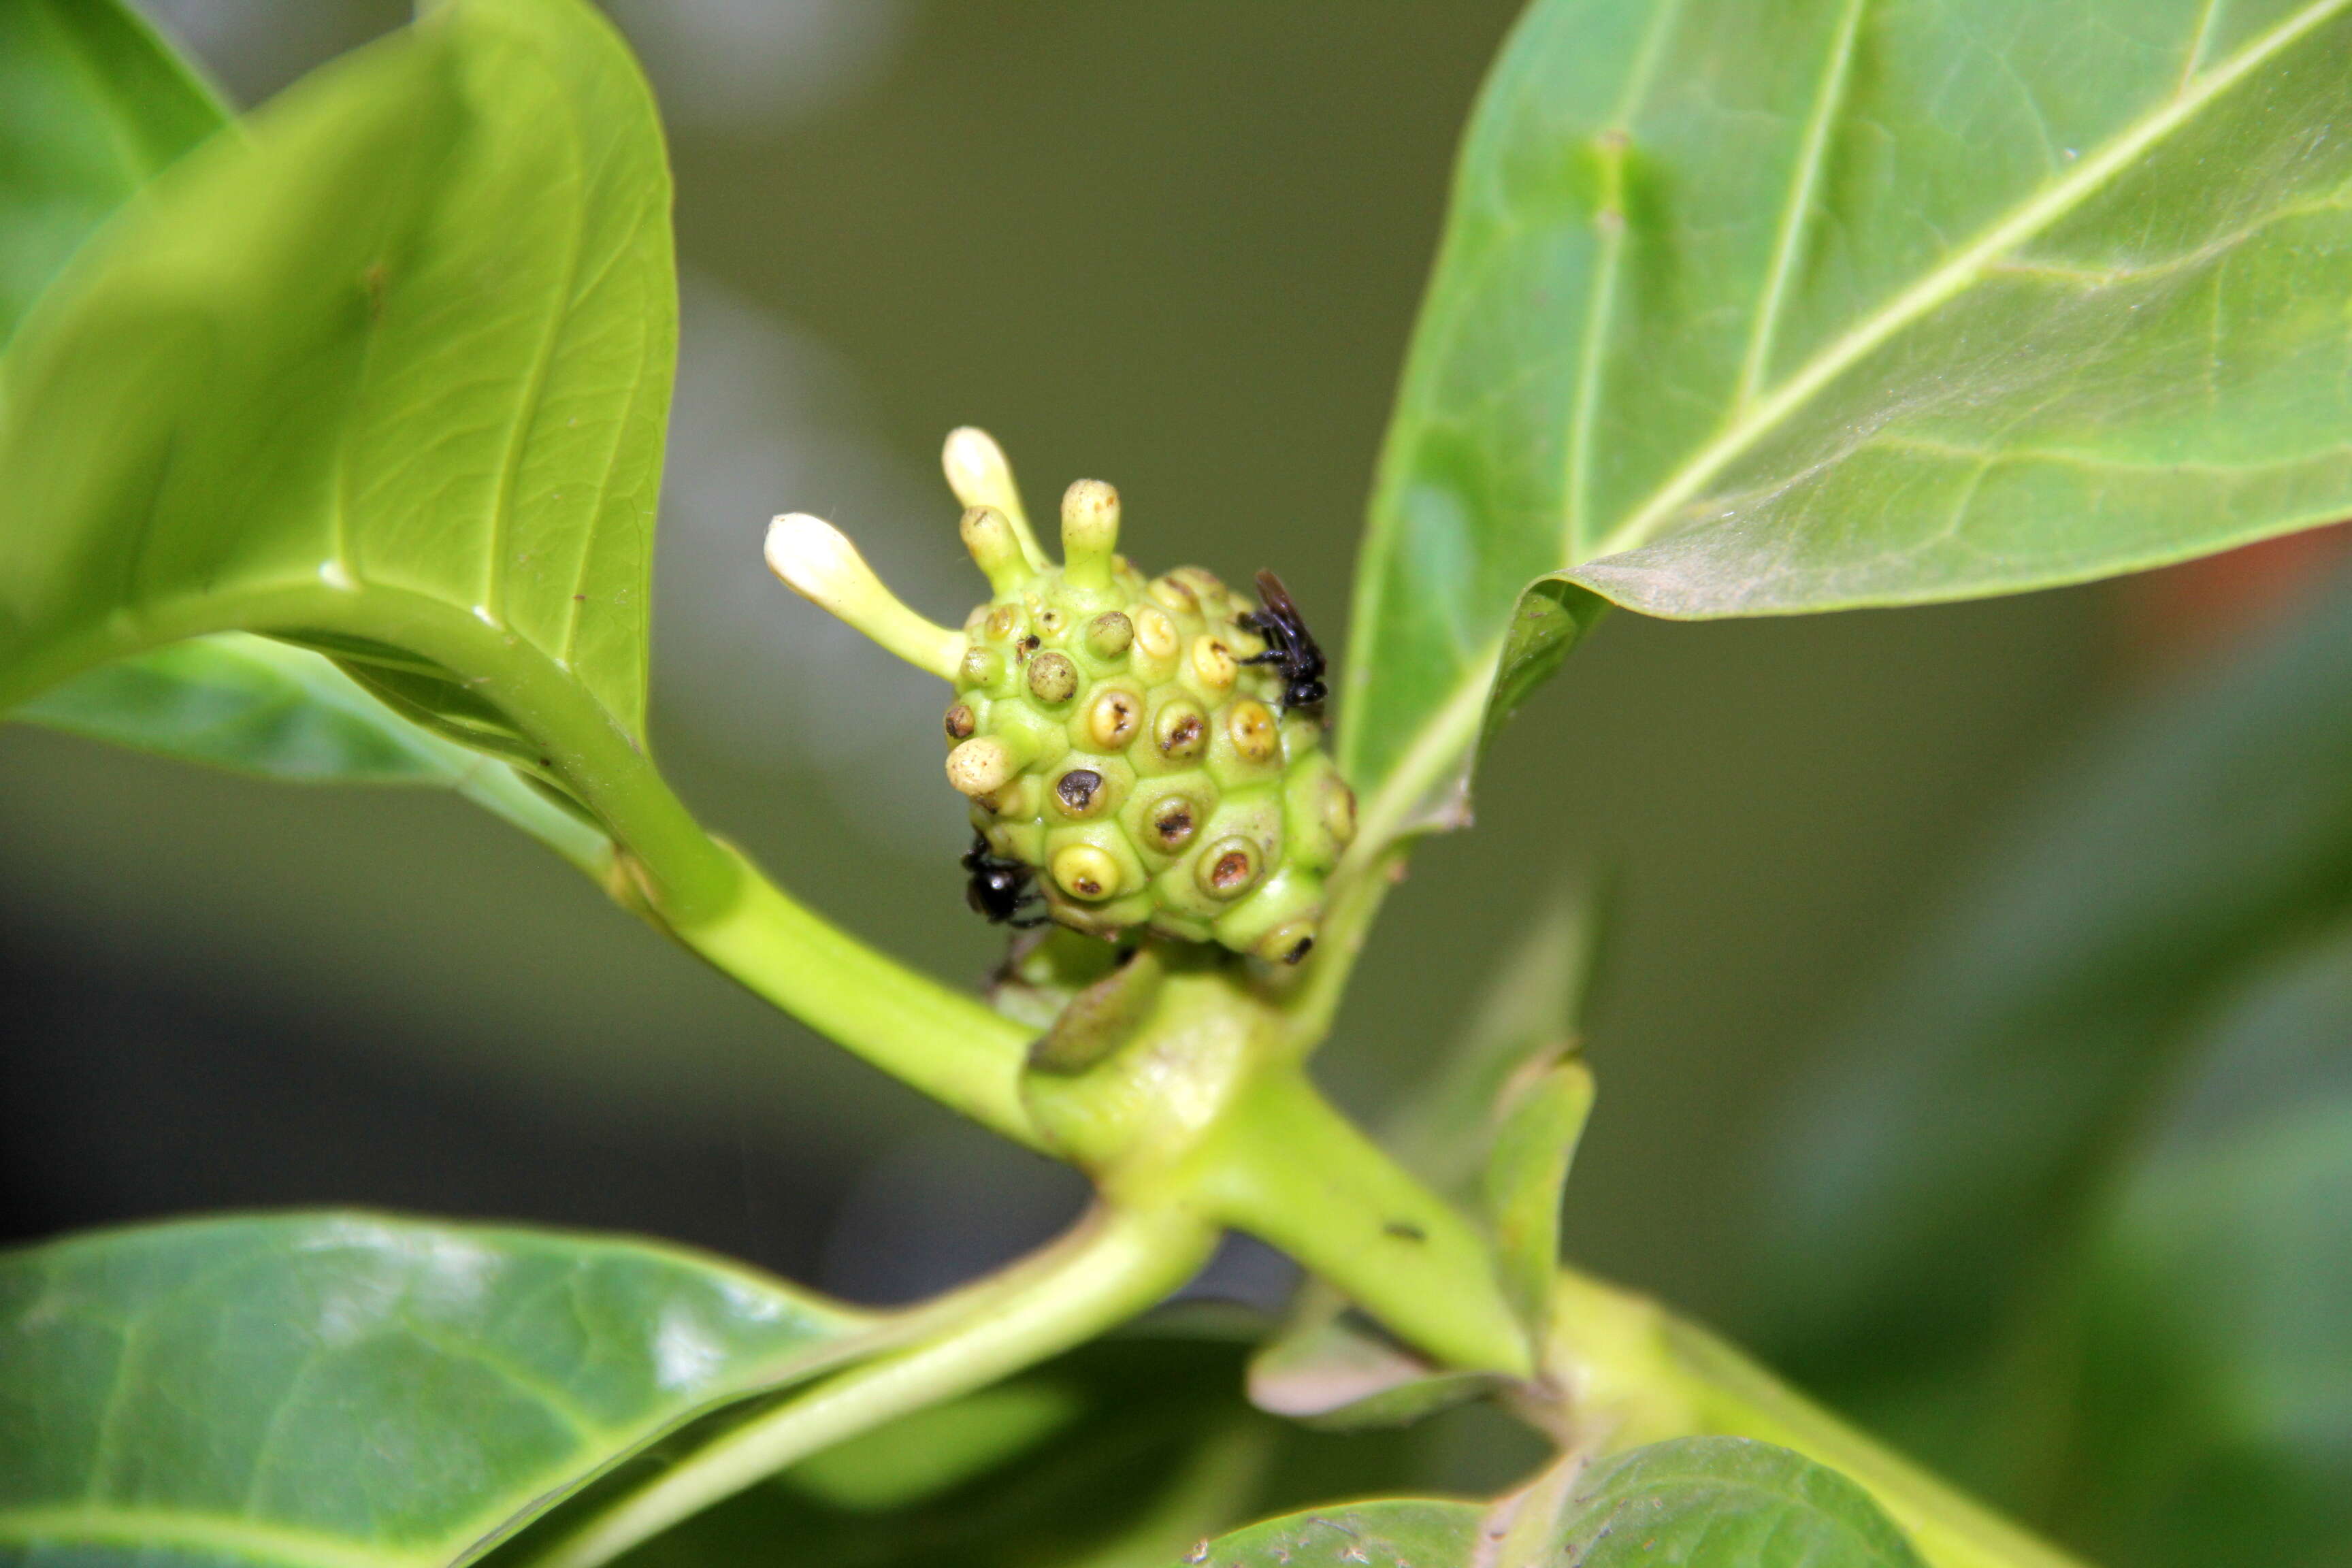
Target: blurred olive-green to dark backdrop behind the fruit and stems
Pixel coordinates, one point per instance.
(1177, 248)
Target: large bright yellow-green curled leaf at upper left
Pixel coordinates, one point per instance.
(385, 377)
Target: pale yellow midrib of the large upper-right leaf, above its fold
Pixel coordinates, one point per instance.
(1953, 276)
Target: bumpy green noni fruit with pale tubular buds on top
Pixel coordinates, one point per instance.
(1107, 728)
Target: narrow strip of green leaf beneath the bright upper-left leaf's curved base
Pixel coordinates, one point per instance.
(267, 709)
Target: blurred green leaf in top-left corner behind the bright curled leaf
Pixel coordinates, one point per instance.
(93, 107)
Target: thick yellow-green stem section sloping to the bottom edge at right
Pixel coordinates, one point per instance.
(1648, 1376)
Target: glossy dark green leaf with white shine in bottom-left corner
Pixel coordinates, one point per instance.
(354, 1391)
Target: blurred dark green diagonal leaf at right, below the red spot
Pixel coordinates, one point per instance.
(1977, 1106)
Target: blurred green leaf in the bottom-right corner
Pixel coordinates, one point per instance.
(2214, 1407)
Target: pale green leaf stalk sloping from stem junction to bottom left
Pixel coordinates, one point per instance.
(1114, 1266)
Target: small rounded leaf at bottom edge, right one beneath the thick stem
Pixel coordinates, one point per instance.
(1725, 1503)
